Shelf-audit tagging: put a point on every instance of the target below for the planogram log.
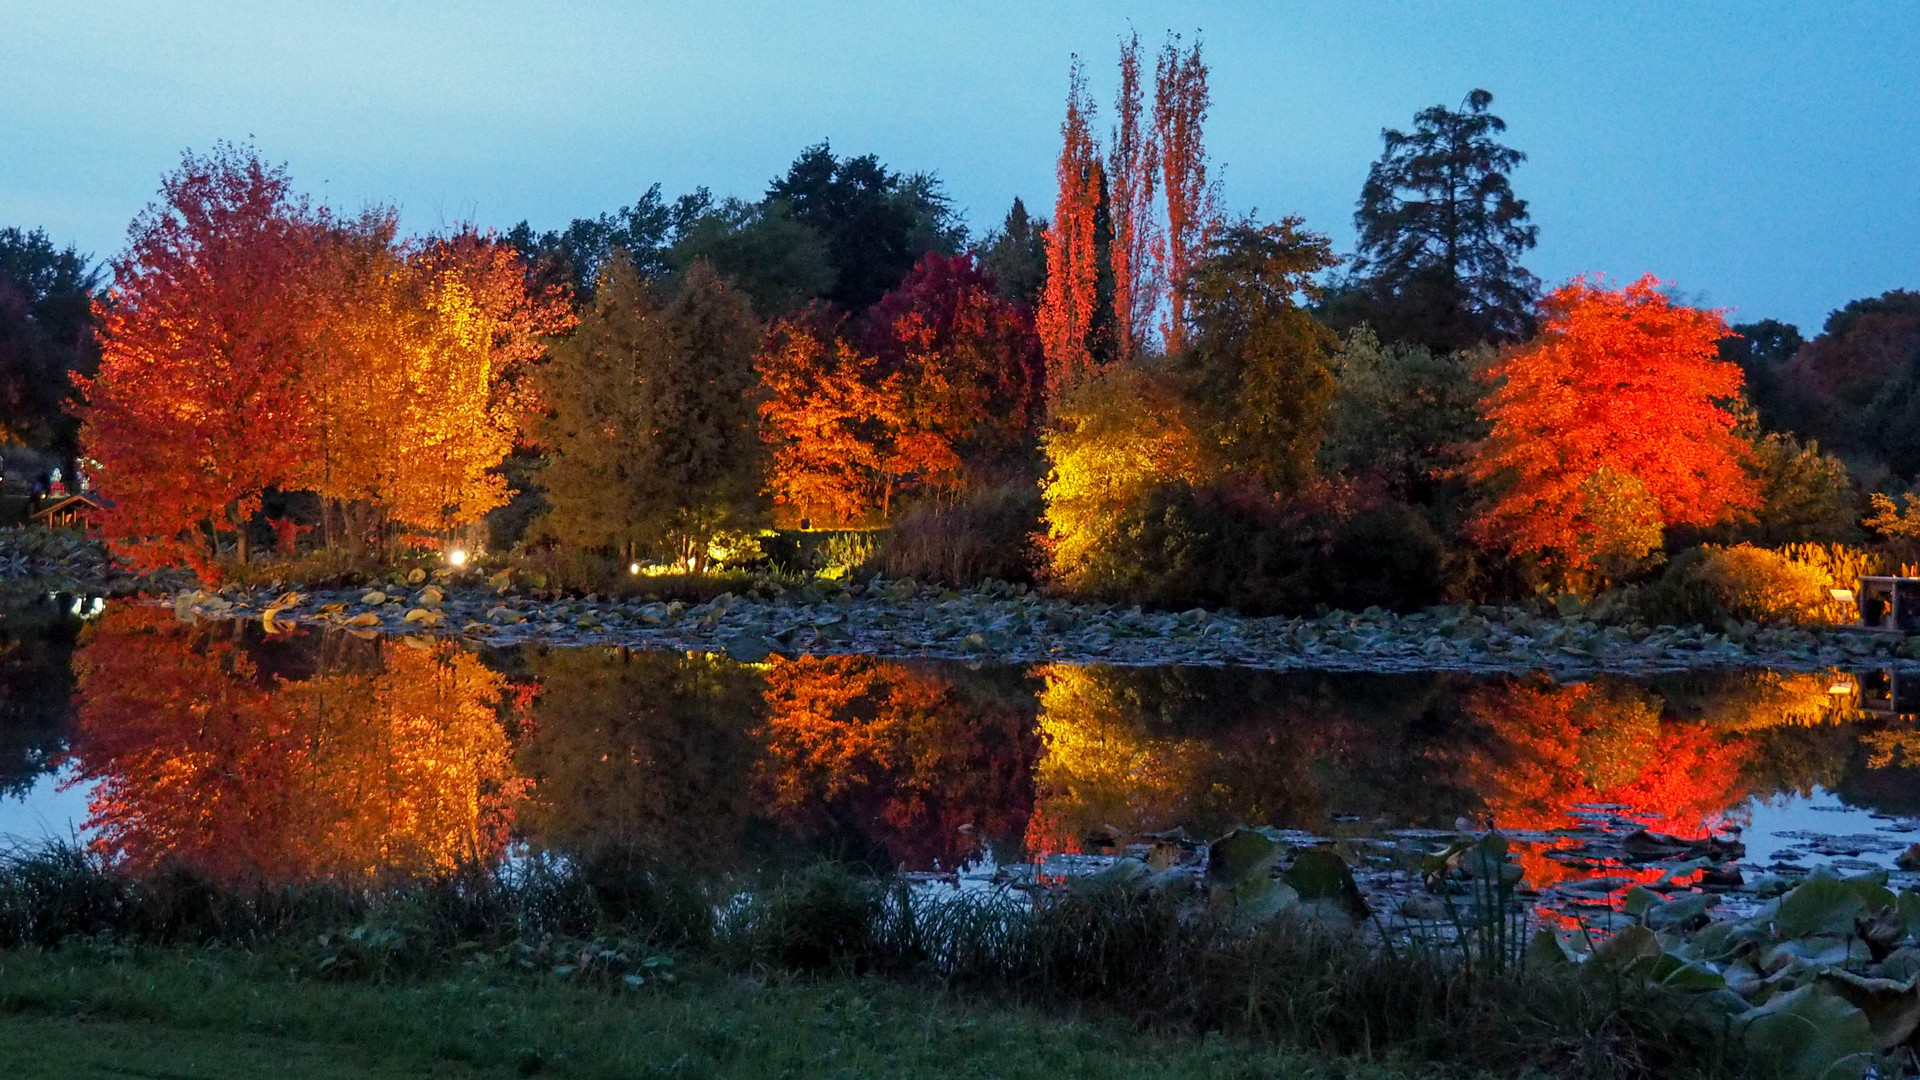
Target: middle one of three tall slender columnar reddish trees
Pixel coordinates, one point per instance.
(1134, 160)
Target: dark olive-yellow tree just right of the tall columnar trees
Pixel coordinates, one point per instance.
(1259, 364)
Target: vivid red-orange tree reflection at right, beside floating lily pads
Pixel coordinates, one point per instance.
(1562, 747)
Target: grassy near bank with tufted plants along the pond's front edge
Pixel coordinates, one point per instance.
(1243, 971)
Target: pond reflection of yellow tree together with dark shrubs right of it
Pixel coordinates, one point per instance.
(1140, 750)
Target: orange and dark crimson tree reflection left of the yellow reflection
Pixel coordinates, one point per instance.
(894, 752)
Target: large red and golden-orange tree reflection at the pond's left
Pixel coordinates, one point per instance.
(203, 762)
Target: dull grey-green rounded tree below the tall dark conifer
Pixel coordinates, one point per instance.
(1403, 414)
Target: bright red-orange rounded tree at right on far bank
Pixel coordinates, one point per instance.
(1608, 428)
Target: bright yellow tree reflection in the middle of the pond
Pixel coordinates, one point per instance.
(1099, 768)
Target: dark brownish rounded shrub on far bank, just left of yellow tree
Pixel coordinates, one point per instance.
(986, 535)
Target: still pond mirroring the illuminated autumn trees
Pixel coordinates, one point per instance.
(350, 756)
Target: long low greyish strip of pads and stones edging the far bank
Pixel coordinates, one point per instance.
(1011, 626)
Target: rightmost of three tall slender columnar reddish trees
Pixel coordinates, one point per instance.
(1182, 103)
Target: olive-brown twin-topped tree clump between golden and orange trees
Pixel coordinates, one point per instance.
(652, 418)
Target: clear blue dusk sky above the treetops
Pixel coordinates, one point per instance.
(1765, 159)
